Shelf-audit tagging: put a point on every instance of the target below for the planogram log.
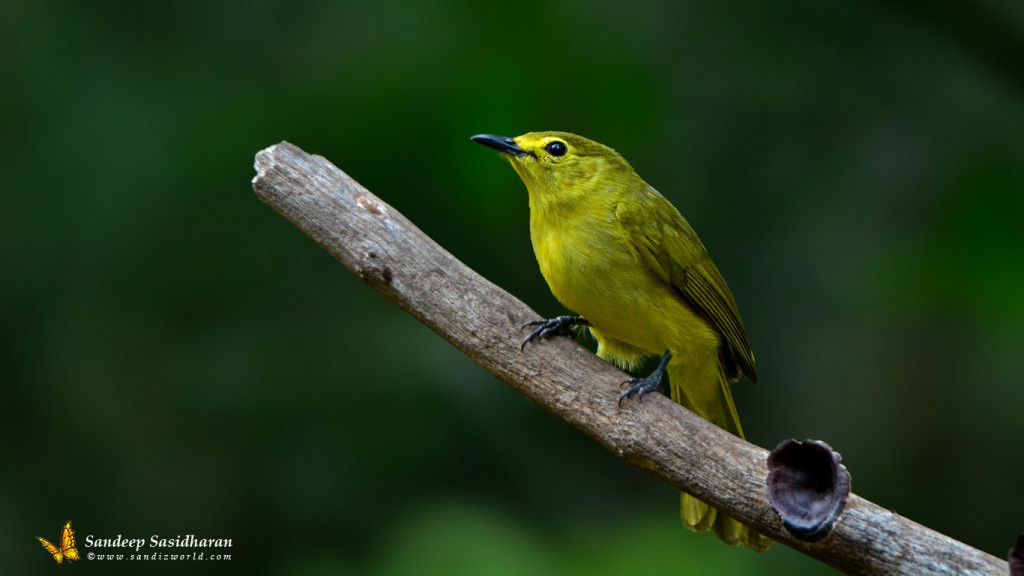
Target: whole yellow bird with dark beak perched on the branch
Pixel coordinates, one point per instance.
(617, 253)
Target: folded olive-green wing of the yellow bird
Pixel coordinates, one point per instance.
(669, 248)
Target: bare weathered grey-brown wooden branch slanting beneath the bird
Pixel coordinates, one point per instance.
(385, 250)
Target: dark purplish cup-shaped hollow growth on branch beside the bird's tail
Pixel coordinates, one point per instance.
(807, 487)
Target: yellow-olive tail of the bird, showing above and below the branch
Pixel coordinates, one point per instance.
(713, 403)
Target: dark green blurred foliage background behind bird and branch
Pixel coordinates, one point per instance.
(178, 359)
